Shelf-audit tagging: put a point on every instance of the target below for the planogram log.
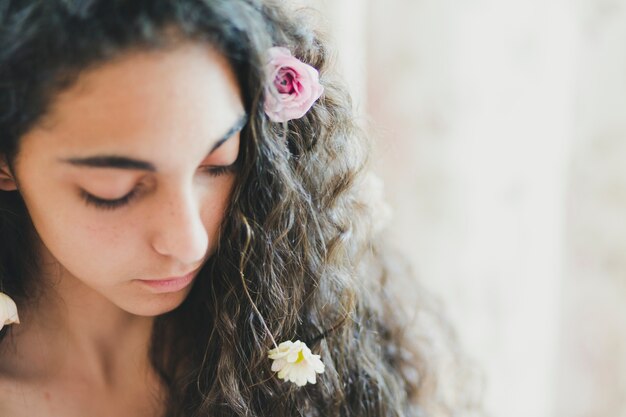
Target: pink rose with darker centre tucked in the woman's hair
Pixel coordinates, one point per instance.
(294, 86)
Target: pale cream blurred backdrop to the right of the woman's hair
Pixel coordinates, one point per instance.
(500, 129)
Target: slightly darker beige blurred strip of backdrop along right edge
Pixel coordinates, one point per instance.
(592, 365)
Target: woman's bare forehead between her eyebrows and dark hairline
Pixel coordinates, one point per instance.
(143, 103)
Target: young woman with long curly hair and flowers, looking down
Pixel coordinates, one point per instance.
(182, 226)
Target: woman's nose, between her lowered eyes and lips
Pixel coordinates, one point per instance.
(178, 228)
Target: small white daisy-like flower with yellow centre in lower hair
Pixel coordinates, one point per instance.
(294, 362)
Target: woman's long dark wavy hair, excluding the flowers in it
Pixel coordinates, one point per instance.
(296, 257)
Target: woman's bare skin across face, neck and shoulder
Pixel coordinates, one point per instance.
(156, 132)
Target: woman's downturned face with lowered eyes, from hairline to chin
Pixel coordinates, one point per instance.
(128, 179)
